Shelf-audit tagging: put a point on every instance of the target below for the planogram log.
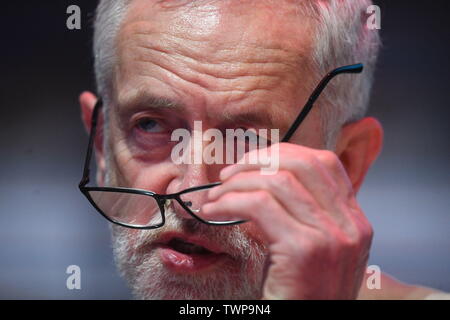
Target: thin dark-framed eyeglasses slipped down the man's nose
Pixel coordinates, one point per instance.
(144, 209)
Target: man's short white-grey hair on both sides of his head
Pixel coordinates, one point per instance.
(341, 38)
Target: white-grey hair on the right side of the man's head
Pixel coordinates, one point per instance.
(342, 38)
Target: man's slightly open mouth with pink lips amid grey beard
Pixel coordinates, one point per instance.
(183, 256)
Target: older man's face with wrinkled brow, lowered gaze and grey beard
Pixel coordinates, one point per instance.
(229, 64)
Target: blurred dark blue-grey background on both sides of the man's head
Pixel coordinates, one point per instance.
(46, 224)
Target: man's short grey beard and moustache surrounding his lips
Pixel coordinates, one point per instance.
(240, 277)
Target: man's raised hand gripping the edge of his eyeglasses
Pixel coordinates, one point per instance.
(318, 237)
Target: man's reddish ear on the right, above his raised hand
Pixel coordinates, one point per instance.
(358, 146)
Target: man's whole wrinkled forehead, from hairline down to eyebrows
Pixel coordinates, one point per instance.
(229, 51)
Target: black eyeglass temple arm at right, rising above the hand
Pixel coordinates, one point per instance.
(354, 68)
